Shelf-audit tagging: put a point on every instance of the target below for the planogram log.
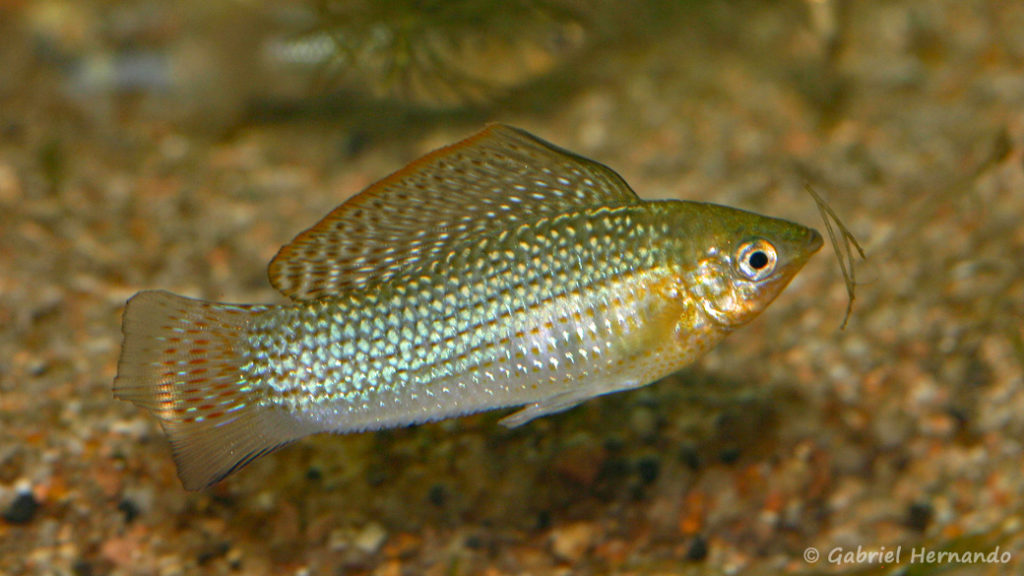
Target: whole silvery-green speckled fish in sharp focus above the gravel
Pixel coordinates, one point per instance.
(499, 272)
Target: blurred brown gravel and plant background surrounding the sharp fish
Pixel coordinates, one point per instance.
(179, 146)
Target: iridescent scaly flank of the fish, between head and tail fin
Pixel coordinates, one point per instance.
(560, 307)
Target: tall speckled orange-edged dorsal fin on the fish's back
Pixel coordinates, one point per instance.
(500, 177)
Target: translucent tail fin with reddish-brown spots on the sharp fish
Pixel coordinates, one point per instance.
(182, 360)
